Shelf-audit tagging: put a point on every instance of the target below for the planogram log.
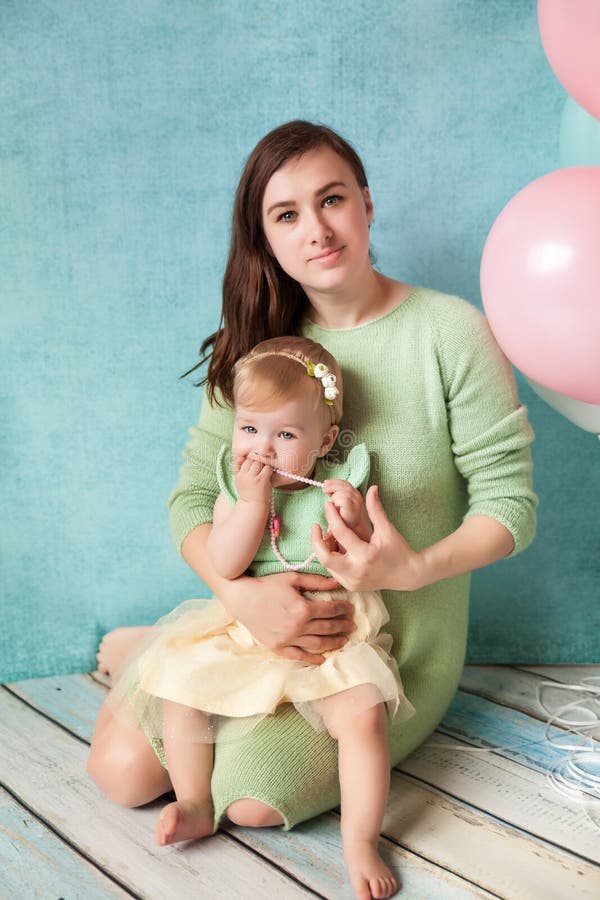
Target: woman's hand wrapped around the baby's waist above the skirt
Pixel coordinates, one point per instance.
(280, 617)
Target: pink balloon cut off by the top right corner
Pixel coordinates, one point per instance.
(570, 32)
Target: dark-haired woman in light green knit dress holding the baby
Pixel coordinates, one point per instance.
(428, 391)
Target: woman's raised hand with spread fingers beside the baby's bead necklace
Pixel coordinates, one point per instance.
(385, 561)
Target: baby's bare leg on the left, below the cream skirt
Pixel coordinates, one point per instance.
(190, 763)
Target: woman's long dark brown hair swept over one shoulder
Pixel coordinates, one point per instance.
(260, 300)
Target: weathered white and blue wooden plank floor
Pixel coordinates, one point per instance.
(461, 823)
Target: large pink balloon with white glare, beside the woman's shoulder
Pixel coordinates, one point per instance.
(540, 281)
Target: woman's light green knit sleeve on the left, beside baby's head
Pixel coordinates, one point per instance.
(192, 501)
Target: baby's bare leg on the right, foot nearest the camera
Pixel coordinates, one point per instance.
(364, 771)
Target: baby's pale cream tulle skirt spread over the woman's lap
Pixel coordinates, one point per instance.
(204, 661)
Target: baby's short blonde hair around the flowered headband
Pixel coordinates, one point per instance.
(271, 373)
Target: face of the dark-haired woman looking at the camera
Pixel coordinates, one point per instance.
(316, 221)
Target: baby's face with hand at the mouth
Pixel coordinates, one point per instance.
(290, 436)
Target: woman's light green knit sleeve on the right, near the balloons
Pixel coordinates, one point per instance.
(489, 430)
